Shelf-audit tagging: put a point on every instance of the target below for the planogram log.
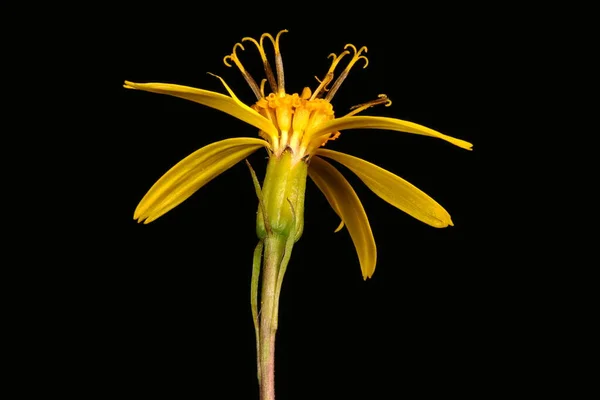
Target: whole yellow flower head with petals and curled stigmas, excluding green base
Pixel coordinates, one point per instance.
(299, 124)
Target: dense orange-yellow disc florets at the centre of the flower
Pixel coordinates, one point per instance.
(295, 117)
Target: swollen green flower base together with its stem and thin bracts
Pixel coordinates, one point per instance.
(279, 224)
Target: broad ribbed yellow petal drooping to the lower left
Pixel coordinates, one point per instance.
(191, 173)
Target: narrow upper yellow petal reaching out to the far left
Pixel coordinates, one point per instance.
(230, 105)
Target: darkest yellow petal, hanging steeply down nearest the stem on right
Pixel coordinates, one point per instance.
(347, 205)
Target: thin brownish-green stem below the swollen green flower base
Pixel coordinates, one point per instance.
(274, 251)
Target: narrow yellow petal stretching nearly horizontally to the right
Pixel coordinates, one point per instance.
(363, 122)
